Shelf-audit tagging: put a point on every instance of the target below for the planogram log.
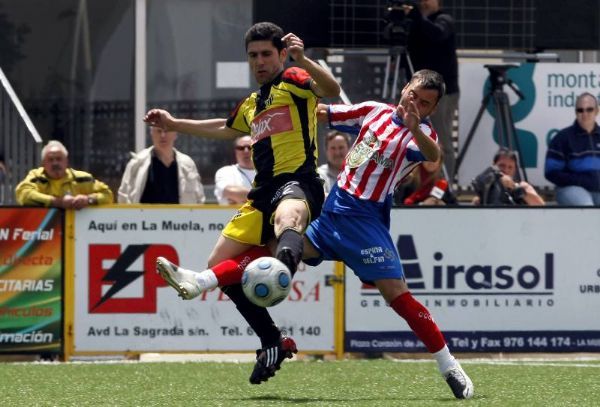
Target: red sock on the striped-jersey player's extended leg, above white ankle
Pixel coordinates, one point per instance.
(420, 321)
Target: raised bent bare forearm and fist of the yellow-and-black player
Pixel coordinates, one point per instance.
(324, 84)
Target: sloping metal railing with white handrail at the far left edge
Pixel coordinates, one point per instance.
(20, 143)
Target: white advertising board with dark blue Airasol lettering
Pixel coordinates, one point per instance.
(514, 279)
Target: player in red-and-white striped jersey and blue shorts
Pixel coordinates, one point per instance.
(354, 224)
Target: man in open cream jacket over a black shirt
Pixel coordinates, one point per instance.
(161, 175)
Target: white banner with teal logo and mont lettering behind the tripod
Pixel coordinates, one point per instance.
(549, 90)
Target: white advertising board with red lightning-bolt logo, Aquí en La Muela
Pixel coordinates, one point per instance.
(122, 304)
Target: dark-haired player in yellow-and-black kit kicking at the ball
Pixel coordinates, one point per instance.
(287, 192)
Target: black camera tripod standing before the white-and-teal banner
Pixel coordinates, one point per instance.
(507, 134)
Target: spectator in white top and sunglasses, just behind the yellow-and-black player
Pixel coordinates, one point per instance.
(233, 182)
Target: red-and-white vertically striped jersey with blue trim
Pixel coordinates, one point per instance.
(384, 152)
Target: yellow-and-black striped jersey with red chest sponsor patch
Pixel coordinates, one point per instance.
(281, 119)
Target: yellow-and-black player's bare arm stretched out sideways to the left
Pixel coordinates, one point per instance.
(213, 128)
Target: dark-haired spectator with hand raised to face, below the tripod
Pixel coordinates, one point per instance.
(497, 184)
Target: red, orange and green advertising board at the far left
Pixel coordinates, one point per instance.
(31, 264)
